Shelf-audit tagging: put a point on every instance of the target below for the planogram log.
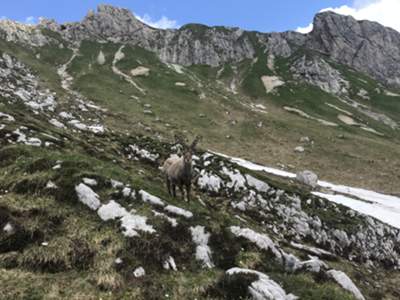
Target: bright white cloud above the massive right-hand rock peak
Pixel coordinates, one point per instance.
(385, 12)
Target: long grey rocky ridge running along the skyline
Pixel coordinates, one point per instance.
(363, 45)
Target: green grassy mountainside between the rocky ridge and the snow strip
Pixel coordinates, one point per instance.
(182, 109)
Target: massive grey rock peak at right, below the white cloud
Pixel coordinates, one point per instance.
(364, 45)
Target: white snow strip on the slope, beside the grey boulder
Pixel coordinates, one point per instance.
(383, 207)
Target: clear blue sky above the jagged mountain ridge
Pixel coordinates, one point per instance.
(261, 15)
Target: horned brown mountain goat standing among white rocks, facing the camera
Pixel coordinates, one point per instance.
(178, 171)
